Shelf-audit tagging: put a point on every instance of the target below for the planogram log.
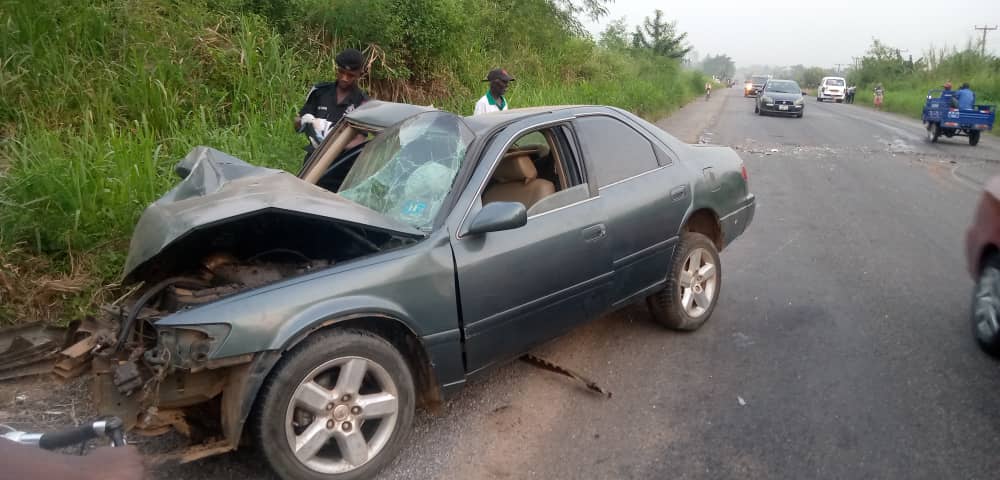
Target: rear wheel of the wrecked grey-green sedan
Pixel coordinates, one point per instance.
(695, 276)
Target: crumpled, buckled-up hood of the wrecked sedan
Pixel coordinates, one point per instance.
(218, 187)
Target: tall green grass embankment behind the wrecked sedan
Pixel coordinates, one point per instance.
(99, 100)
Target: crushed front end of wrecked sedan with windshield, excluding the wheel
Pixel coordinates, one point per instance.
(238, 264)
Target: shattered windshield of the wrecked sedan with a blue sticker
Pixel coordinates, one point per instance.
(406, 172)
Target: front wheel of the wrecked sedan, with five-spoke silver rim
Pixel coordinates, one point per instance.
(317, 367)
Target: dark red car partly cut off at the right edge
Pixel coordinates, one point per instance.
(982, 252)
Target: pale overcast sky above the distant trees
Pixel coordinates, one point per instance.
(815, 32)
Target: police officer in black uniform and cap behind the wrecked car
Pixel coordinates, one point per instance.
(331, 100)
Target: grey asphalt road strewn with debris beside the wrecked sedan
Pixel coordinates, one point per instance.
(840, 347)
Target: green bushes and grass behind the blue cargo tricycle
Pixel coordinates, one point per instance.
(907, 81)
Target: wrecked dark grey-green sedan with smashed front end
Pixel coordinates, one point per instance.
(312, 314)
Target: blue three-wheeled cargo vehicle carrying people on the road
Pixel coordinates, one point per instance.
(942, 117)
